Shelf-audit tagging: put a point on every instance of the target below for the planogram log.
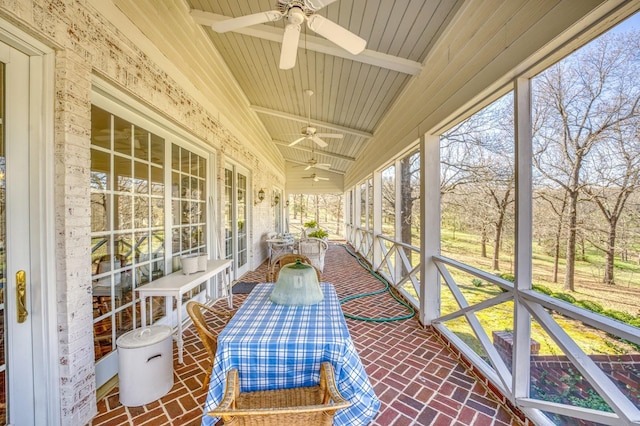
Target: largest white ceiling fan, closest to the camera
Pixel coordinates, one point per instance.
(295, 12)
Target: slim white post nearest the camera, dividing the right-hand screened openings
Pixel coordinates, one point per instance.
(523, 237)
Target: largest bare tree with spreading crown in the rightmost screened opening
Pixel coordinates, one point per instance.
(578, 102)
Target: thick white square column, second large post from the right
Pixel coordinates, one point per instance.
(429, 227)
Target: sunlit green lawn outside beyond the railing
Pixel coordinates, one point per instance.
(466, 248)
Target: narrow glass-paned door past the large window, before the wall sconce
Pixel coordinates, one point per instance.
(236, 216)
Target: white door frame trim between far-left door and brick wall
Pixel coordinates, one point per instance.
(43, 269)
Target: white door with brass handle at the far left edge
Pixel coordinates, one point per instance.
(16, 352)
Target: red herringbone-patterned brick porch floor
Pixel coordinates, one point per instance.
(418, 380)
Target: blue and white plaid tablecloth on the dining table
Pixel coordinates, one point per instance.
(275, 346)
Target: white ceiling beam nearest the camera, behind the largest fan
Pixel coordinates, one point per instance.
(317, 44)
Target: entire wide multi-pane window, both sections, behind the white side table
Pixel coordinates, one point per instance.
(128, 227)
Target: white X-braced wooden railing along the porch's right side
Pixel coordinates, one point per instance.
(606, 397)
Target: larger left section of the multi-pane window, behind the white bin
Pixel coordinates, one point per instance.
(127, 218)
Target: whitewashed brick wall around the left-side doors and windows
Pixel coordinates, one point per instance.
(87, 44)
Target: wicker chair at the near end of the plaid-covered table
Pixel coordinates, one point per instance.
(315, 405)
